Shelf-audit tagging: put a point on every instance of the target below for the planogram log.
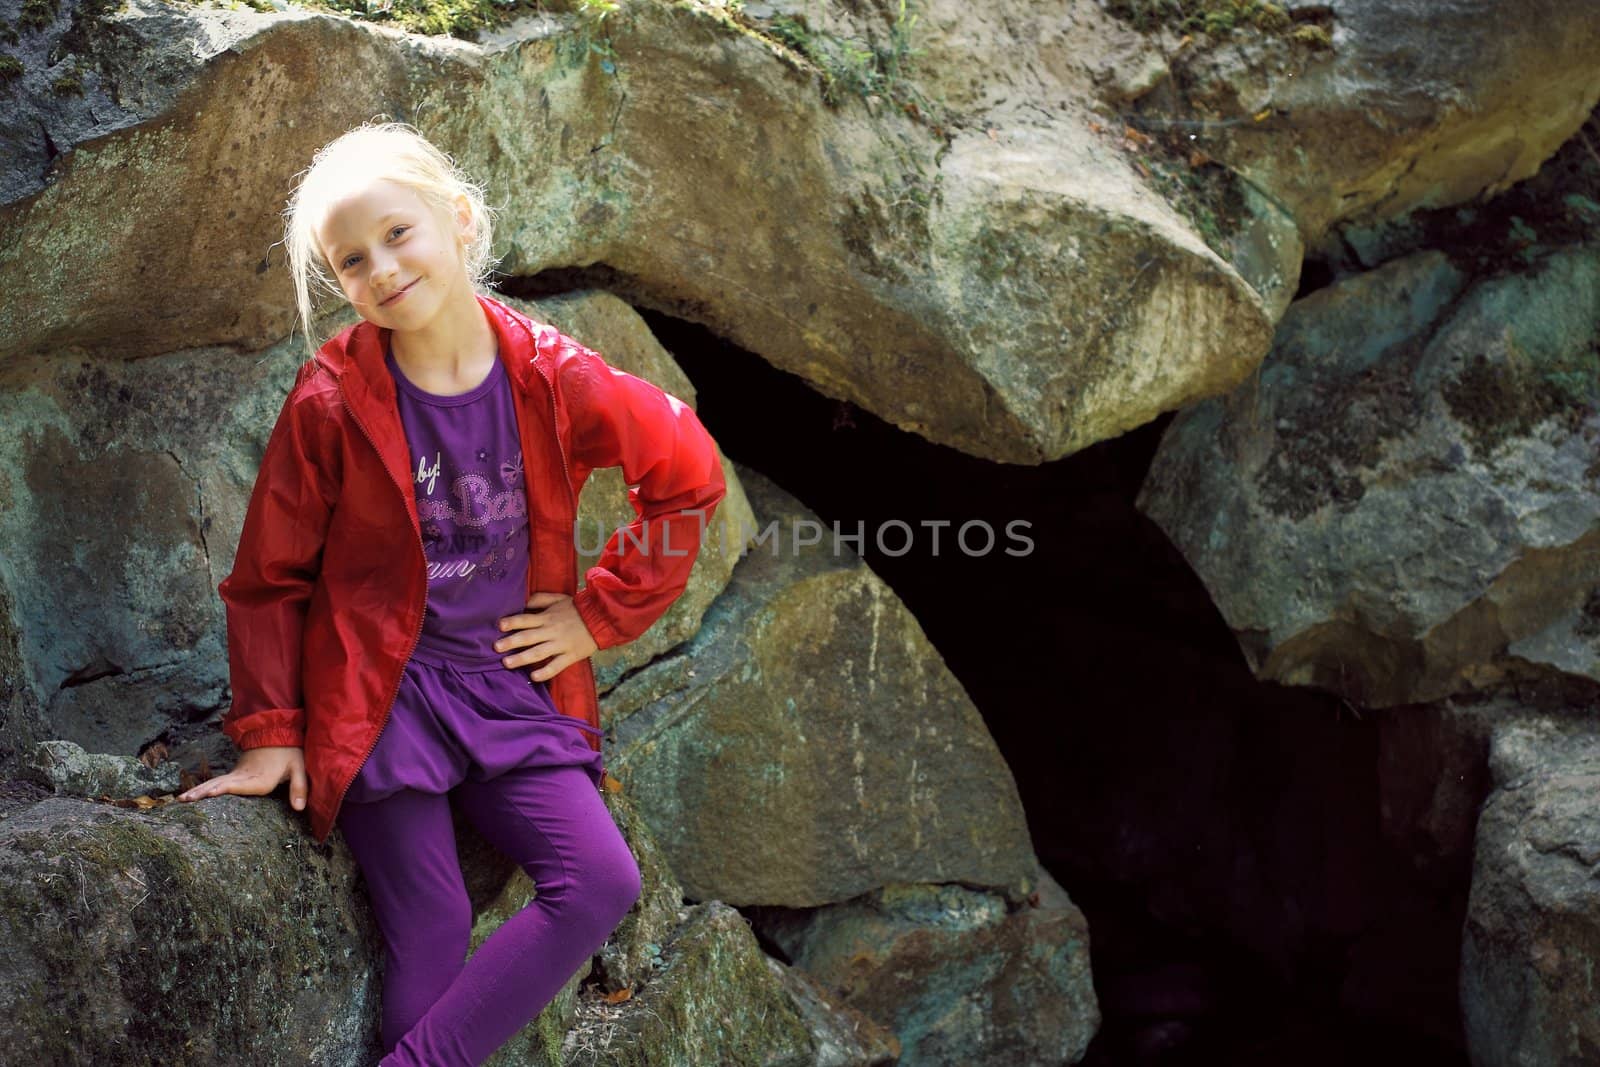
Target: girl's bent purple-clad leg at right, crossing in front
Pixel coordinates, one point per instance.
(554, 823)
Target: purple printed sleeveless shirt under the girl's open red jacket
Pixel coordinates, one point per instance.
(466, 462)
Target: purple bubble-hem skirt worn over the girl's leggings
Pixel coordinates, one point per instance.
(452, 722)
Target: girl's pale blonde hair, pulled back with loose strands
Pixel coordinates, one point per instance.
(393, 151)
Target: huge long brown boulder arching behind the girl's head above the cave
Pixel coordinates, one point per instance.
(1015, 297)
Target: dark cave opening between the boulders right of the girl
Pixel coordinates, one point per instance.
(1222, 836)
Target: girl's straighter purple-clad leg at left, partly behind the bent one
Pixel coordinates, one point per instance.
(407, 850)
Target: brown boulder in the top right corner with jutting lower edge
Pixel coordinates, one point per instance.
(1367, 110)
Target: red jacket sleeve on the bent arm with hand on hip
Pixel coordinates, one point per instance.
(674, 478)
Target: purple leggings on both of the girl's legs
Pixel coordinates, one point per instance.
(554, 825)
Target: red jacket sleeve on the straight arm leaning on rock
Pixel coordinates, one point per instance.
(274, 573)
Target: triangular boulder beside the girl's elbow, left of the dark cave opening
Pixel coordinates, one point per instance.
(809, 745)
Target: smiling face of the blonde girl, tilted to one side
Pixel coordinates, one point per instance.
(398, 260)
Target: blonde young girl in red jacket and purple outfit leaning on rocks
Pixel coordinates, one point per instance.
(404, 618)
